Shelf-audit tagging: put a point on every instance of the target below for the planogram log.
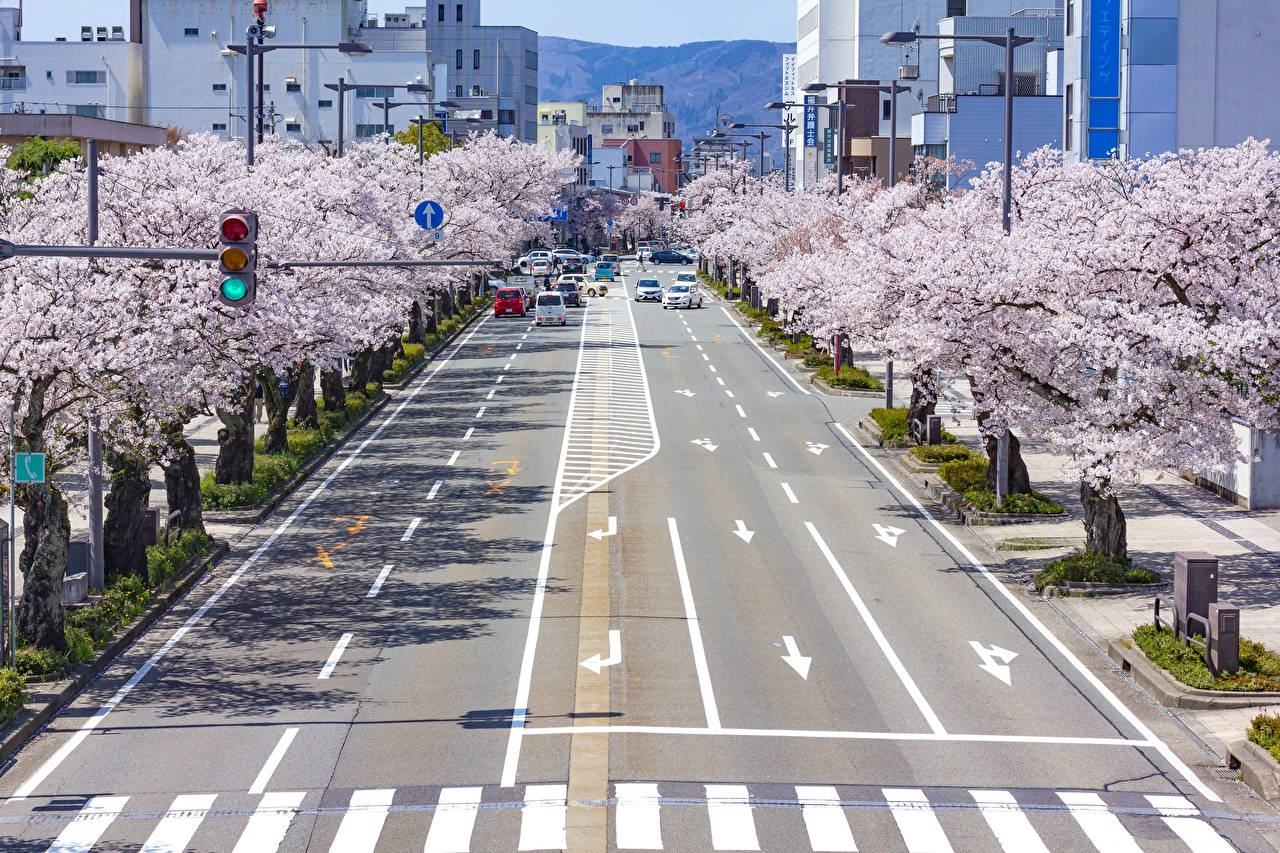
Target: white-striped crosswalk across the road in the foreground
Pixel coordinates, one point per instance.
(644, 816)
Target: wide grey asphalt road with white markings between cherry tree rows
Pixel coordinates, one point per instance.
(618, 586)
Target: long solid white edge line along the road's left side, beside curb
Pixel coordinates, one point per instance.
(52, 764)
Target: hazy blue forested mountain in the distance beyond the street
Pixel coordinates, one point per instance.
(702, 80)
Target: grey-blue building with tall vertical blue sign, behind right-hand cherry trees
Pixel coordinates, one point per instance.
(1150, 76)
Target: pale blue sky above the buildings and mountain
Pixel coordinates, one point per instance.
(618, 22)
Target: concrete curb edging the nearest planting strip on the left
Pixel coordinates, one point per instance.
(33, 720)
